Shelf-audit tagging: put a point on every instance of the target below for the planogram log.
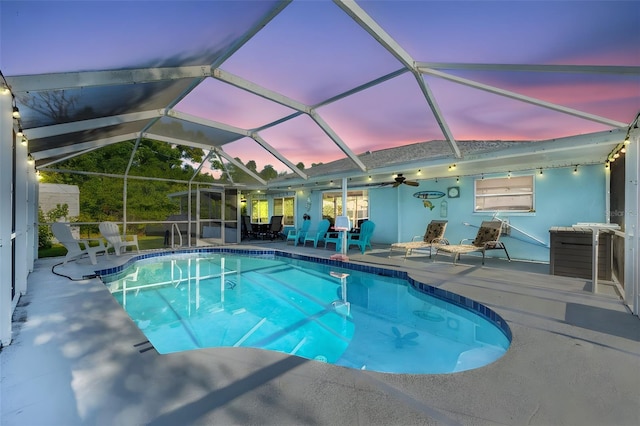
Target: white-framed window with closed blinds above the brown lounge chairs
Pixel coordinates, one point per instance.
(508, 194)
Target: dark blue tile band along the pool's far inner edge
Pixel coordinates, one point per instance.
(454, 298)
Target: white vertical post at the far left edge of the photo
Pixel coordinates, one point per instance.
(6, 242)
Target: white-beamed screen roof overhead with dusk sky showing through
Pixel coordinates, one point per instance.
(279, 82)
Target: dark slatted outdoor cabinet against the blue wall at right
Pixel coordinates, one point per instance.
(572, 253)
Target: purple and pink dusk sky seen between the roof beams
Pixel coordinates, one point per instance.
(312, 51)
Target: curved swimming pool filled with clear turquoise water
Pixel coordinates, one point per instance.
(350, 315)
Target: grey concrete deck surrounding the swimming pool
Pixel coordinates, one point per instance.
(77, 359)
